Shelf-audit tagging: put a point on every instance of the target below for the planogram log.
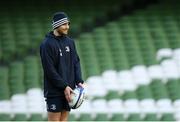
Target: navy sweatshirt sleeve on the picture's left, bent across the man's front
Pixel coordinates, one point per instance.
(48, 63)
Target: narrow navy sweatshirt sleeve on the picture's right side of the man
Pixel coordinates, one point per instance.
(77, 67)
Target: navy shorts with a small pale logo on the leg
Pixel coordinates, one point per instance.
(57, 104)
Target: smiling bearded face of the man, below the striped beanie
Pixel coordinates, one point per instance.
(63, 29)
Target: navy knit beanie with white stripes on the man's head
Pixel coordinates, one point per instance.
(59, 19)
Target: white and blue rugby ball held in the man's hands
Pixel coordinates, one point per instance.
(77, 97)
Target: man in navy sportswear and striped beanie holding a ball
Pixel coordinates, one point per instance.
(61, 66)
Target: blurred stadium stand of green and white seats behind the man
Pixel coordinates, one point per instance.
(131, 64)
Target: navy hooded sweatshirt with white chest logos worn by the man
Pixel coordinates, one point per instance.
(60, 63)
